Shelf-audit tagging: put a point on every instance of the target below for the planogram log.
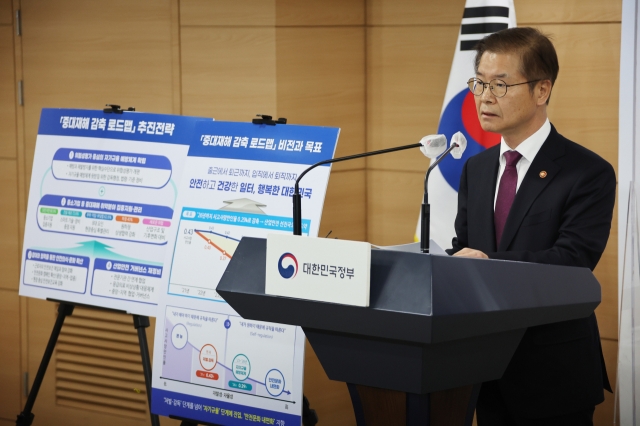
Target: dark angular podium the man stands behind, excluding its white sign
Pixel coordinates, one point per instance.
(436, 326)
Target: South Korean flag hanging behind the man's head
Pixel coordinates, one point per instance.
(480, 18)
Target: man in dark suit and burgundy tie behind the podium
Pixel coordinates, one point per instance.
(536, 197)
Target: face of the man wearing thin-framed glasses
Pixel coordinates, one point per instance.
(514, 113)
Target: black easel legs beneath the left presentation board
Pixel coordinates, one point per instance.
(25, 418)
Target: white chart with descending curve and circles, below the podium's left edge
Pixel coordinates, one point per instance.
(227, 352)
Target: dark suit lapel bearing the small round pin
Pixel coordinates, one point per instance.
(532, 185)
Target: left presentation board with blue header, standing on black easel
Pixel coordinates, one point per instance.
(101, 200)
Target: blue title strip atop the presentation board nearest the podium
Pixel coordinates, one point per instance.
(282, 143)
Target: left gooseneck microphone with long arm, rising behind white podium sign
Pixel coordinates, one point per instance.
(431, 146)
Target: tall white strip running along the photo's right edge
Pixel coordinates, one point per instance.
(627, 410)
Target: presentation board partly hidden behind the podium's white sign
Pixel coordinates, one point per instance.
(210, 364)
